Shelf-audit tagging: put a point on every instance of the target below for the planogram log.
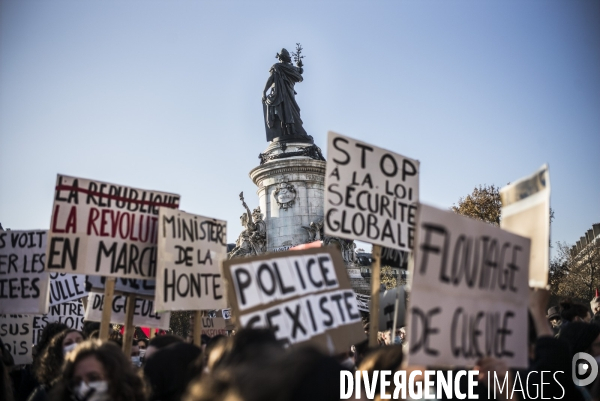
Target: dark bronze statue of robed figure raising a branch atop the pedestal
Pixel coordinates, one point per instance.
(282, 113)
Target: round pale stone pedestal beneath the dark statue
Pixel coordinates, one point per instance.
(291, 184)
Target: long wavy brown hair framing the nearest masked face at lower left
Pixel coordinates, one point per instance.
(123, 383)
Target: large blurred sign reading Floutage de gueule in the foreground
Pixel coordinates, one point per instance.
(469, 292)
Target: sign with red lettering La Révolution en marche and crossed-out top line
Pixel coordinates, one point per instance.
(104, 229)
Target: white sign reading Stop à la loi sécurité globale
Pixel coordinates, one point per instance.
(371, 193)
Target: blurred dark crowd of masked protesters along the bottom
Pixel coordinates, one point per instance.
(251, 365)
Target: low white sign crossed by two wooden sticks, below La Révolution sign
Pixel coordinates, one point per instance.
(143, 314)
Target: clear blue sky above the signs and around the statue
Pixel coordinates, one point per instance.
(166, 95)
